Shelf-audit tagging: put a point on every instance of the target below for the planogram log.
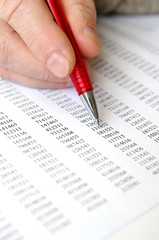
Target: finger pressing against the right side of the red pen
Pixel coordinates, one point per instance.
(81, 15)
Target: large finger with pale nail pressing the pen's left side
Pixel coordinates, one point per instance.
(34, 23)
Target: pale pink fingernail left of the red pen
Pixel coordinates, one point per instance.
(58, 65)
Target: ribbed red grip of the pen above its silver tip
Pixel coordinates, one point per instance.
(81, 79)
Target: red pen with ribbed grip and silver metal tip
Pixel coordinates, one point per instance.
(79, 76)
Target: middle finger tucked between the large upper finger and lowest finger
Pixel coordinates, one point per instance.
(15, 56)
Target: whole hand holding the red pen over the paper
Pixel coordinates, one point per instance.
(33, 49)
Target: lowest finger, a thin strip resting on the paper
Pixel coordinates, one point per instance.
(32, 82)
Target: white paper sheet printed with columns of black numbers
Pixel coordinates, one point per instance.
(62, 176)
